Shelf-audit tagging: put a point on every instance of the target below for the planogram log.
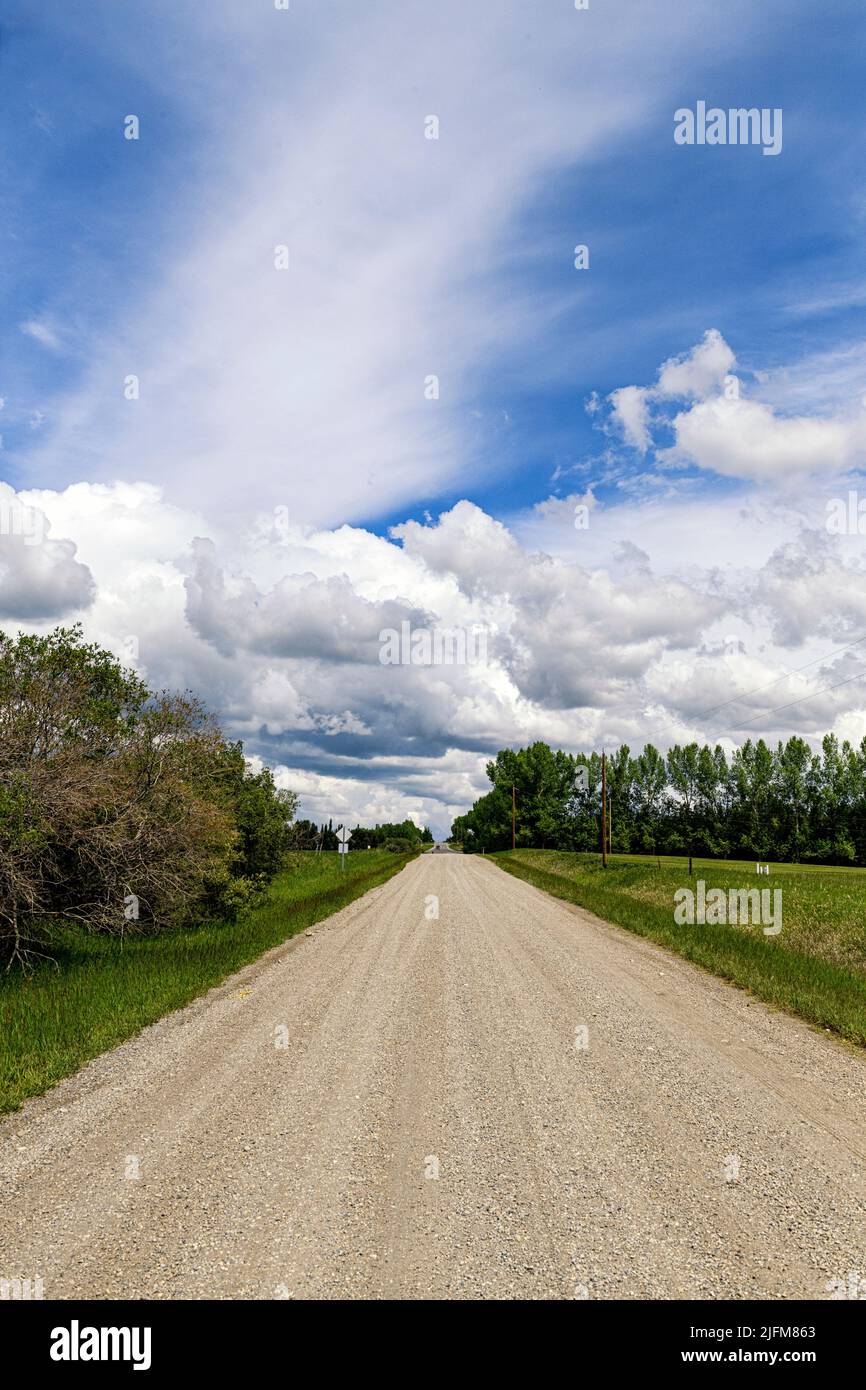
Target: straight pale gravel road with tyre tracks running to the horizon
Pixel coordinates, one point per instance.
(398, 1106)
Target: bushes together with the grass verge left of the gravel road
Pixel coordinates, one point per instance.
(144, 858)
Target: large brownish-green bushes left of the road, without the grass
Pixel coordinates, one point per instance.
(120, 808)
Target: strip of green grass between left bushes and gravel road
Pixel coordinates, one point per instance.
(101, 990)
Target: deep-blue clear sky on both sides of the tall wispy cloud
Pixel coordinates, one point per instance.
(680, 238)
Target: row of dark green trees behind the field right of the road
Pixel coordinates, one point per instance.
(767, 804)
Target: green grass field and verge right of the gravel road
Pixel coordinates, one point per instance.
(815, 968)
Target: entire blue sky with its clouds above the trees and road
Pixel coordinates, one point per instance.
(258, 391)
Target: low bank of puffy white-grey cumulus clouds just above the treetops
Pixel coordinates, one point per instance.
(280, 636)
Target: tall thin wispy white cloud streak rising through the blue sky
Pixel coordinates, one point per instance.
(311, 382)
